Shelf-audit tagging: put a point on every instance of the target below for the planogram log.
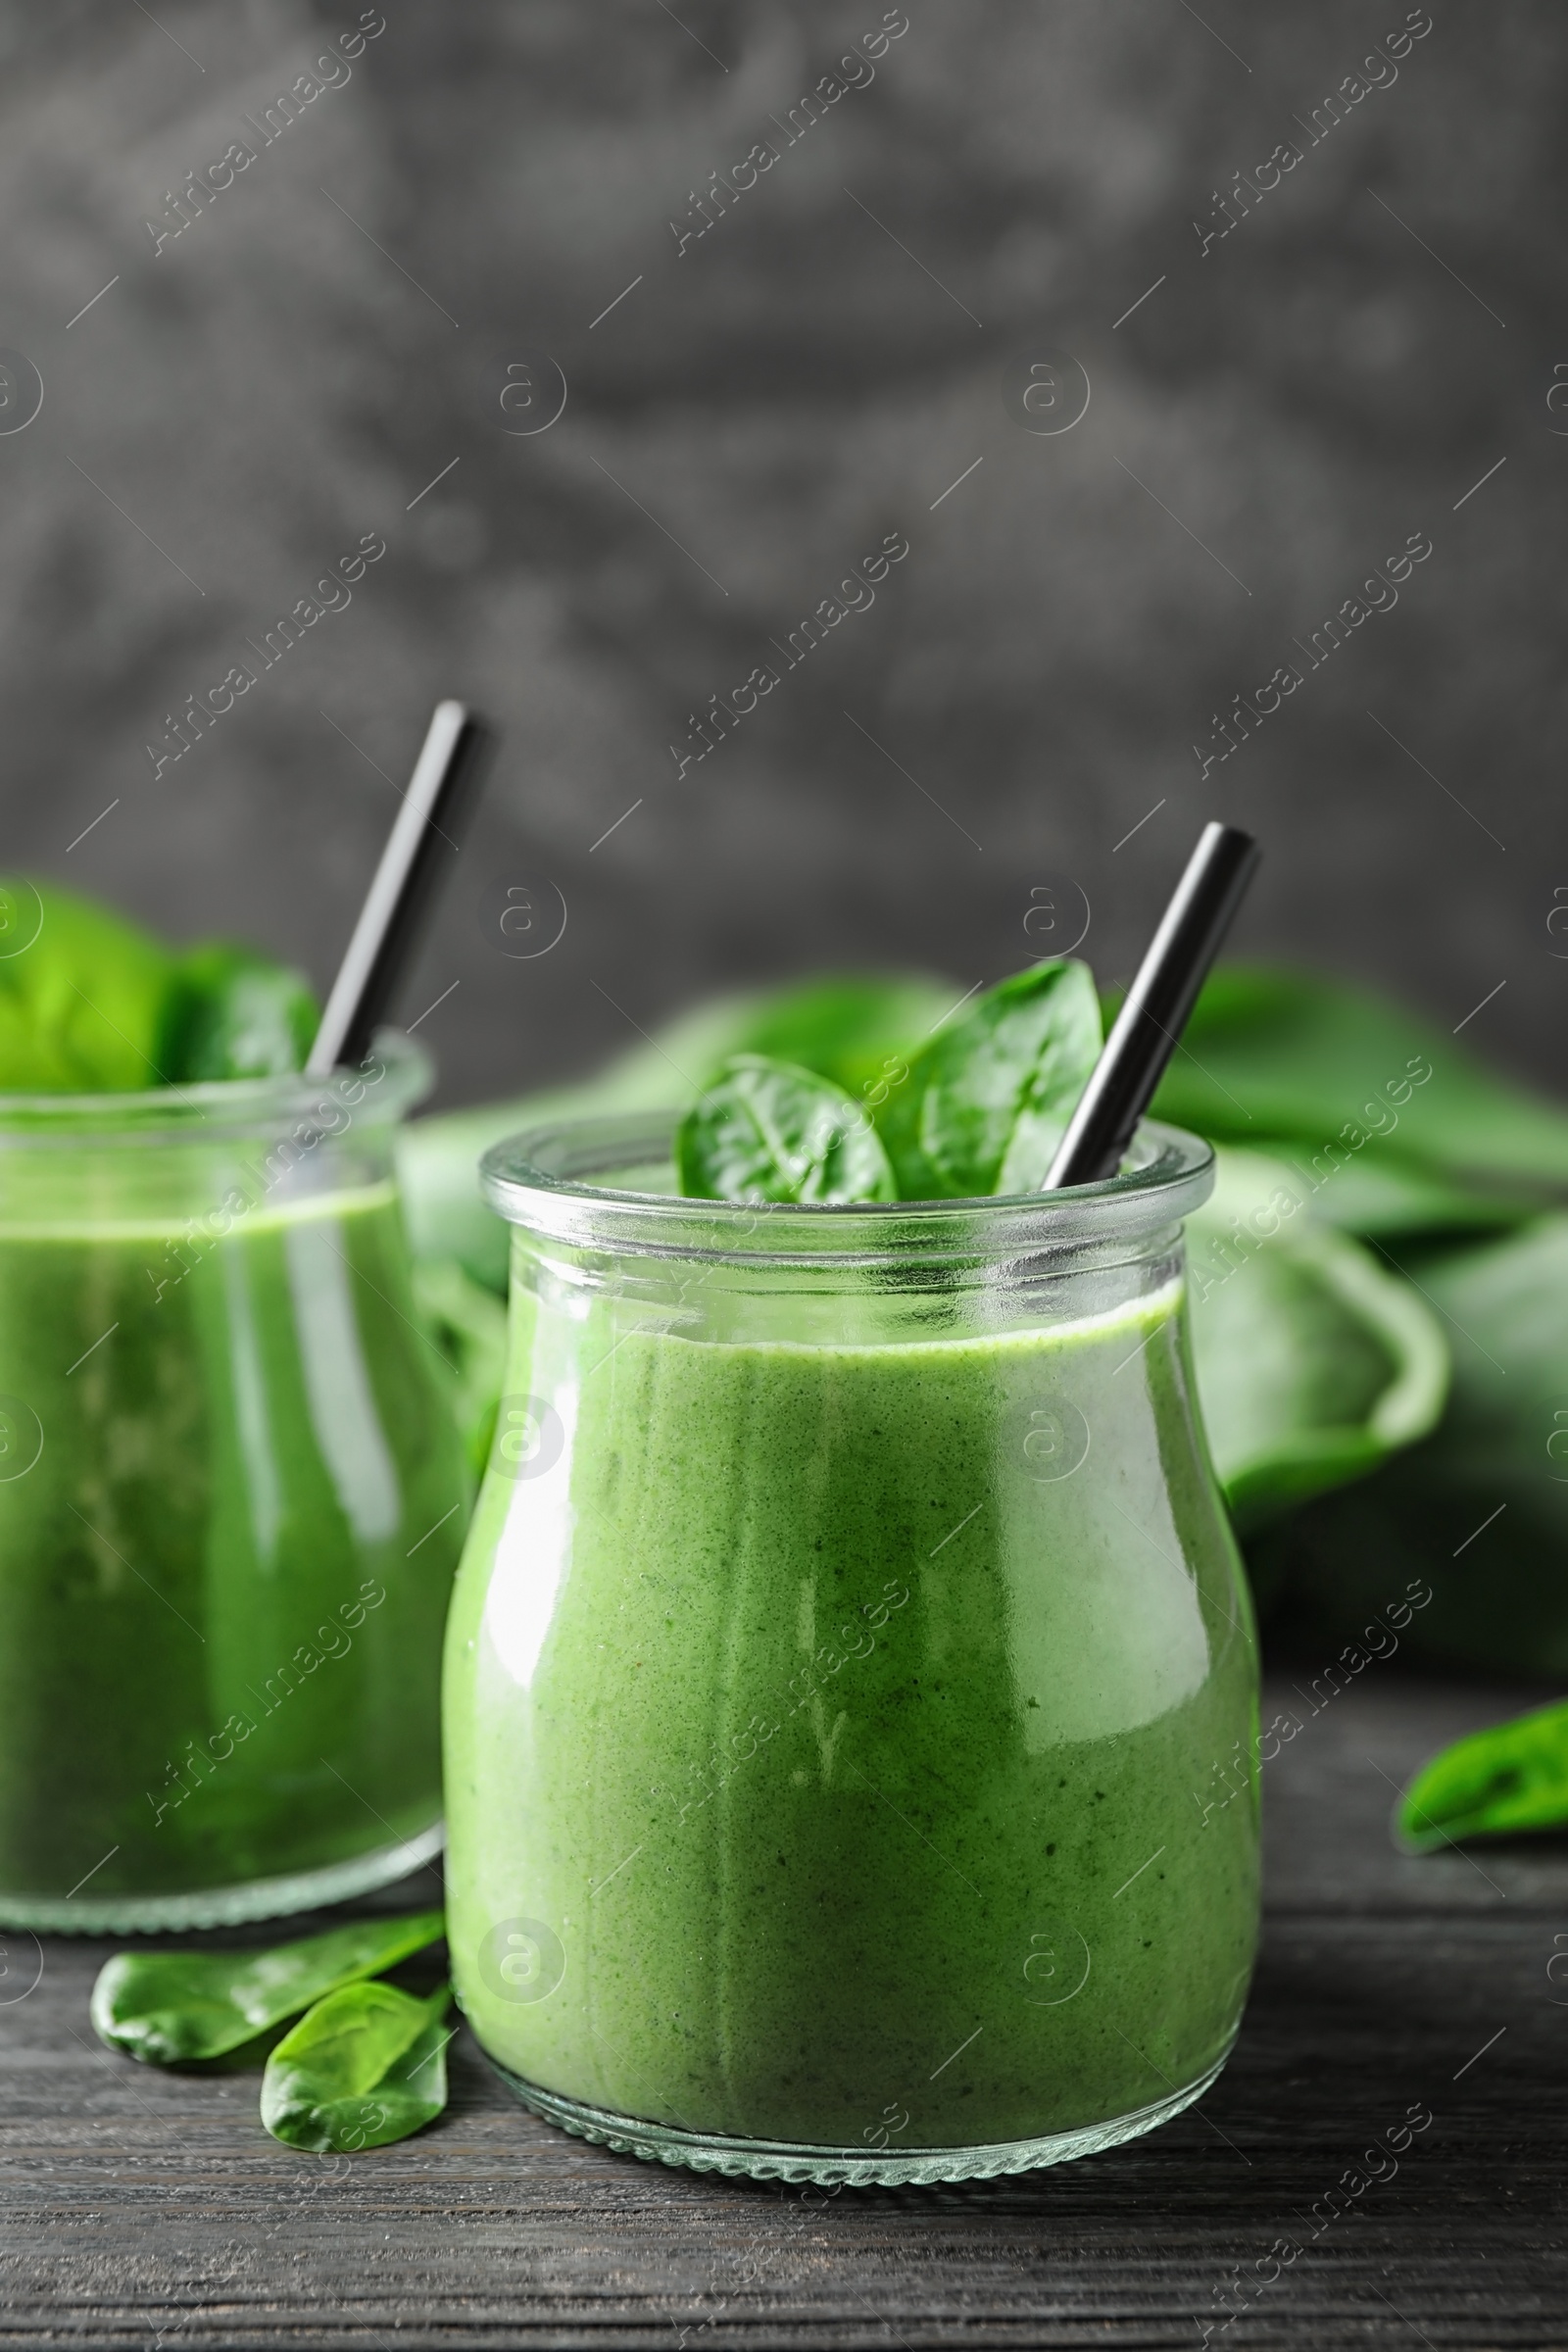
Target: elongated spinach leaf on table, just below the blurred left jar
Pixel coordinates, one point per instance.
(173, 2007)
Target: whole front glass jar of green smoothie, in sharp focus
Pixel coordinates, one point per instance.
(850, 1683)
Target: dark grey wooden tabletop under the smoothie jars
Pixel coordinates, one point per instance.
(149, 2210)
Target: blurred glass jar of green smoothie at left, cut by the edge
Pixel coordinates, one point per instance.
(232, 1499)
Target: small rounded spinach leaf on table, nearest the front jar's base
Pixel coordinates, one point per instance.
(363, 2069)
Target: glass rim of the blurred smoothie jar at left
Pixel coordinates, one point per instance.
(220, 1109)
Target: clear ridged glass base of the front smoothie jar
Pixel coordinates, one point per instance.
(845, 2167)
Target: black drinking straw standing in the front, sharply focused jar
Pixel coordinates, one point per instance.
(1155, 1013)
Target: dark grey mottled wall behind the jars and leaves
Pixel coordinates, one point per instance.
(1334, 375)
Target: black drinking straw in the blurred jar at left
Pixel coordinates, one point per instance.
(398, 900)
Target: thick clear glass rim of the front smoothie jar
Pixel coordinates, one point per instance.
(540, 1182)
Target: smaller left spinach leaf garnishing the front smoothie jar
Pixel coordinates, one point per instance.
(770, 1130)
